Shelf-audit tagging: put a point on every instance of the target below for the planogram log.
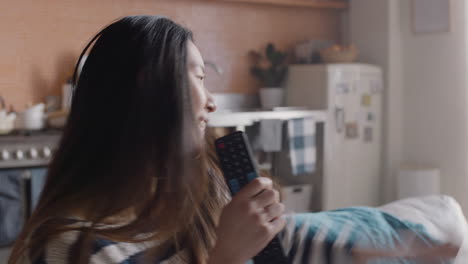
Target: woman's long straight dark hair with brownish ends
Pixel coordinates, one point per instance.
(131, 144)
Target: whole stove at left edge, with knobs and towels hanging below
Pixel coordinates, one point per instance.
(24, 157)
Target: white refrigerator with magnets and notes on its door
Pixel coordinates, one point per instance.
(351, 94)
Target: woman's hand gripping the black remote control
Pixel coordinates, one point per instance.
(248, 223)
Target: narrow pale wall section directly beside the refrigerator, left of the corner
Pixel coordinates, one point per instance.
(375, 29)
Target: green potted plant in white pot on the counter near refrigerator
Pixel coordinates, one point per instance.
(270, 69)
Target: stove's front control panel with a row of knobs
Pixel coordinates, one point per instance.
(28, 149)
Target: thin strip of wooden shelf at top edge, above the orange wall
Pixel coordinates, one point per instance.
(295, 3)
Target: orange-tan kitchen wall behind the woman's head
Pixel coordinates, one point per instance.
(41, 39)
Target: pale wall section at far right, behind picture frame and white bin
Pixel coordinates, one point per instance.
(435, 98)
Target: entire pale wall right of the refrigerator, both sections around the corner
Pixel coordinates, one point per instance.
(426, 104)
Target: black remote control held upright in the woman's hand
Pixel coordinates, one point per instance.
(239, 168)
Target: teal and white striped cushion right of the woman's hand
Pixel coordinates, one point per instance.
(328, 237)
